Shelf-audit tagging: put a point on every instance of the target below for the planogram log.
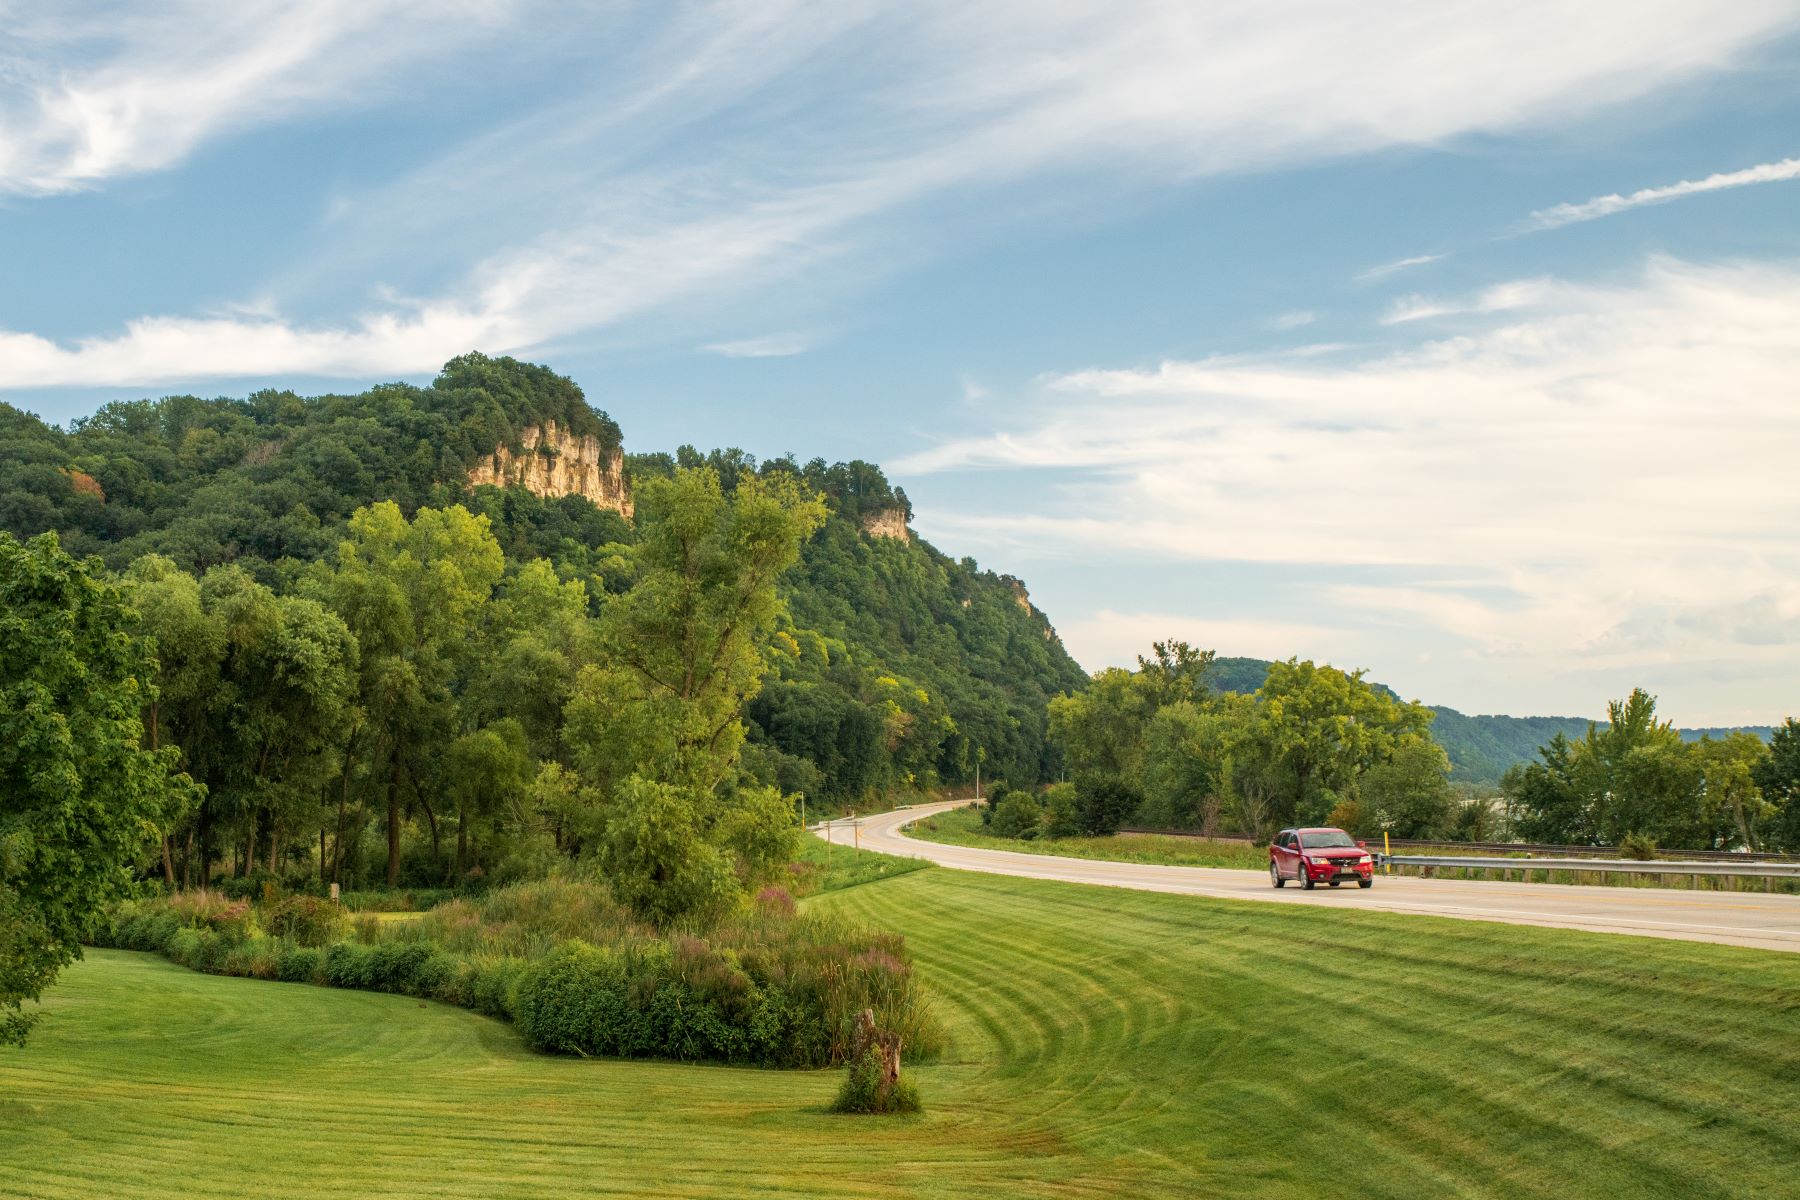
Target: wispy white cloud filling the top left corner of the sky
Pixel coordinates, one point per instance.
(85, 98)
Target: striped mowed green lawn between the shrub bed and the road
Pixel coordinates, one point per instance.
(1104, 1044)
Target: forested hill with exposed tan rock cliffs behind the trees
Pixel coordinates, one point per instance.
(899, 665)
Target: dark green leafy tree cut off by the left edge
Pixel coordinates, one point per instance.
(82, 798)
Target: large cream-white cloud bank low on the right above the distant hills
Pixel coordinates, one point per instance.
(1542, 492)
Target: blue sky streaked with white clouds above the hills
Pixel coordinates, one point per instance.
(1457, 341)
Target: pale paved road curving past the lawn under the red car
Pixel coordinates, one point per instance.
(1740, 918)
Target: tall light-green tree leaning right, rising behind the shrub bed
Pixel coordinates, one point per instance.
(660, 724)
